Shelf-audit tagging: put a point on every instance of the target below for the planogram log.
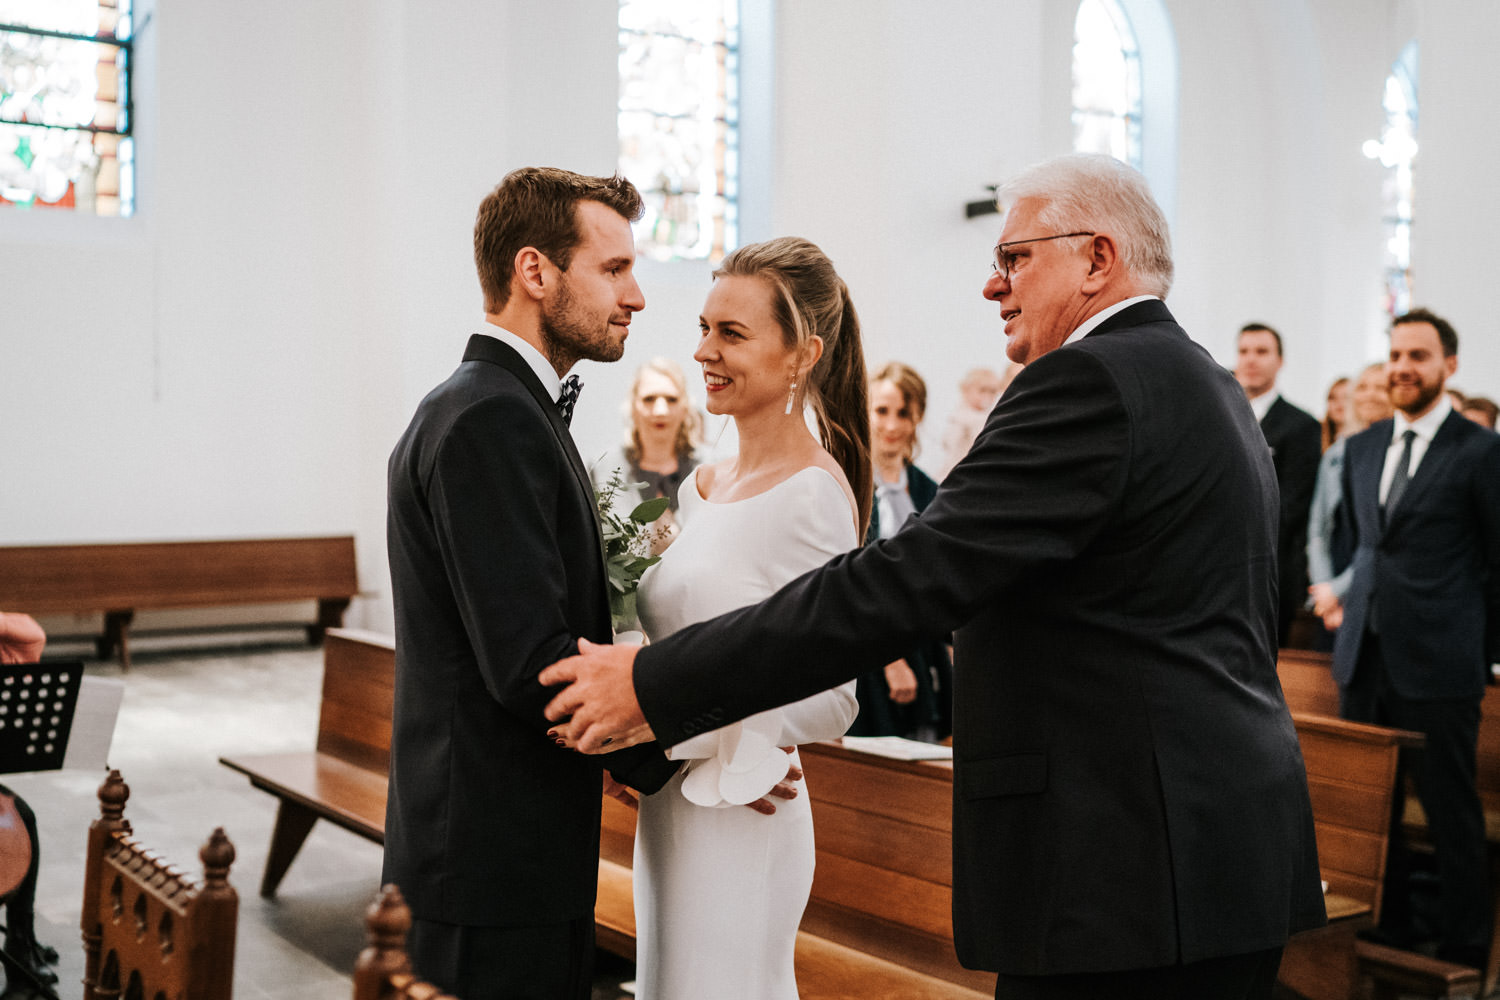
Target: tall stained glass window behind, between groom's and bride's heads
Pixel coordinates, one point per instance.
(679, 124)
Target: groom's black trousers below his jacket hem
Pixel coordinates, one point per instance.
(553, 962)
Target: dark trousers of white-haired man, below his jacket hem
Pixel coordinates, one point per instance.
(1252, 977)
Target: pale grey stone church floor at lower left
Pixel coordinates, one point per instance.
(187, 704)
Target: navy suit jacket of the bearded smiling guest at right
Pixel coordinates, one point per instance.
(1432, 570)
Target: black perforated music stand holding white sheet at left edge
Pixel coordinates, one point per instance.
(55, 717)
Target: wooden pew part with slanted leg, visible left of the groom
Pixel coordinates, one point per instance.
(344, 779)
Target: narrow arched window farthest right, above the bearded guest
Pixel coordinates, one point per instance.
(1397, 151)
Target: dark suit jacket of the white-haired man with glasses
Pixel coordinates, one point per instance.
(1129, 789)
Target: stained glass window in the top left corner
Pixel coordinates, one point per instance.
(65, 106)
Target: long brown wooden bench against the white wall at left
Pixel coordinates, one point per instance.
(121, 579)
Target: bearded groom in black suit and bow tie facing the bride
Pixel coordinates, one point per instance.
(497, 567)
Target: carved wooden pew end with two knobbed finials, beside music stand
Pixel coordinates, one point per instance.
(148, 930)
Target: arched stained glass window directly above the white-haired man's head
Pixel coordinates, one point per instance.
(1106, 83)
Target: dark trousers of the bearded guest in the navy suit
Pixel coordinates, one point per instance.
(1445, 776)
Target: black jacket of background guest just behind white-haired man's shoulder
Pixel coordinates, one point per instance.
(1297, 445)
